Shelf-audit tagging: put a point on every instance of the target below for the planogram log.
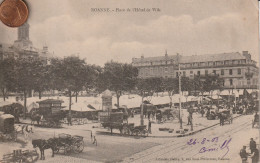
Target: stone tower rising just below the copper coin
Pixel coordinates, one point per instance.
(23, 37)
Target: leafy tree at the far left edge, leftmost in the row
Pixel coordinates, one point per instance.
(7, 76)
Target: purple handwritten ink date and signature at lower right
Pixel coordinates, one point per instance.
(217, 145)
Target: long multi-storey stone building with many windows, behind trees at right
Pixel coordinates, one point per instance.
(237, 69)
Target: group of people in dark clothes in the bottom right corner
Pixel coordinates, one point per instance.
(254, 152)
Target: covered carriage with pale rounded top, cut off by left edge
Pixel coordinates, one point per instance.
(7, 130)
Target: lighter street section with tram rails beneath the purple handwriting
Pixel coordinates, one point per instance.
(177, 149)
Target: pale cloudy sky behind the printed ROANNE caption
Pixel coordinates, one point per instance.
(188, 27)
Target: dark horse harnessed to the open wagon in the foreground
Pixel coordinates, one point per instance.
(44, 144)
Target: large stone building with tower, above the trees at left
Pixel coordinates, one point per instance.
(23, 47)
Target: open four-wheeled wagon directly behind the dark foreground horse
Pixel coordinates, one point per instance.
(68, 143)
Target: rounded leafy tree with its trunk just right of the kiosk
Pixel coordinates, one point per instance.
(118, 77)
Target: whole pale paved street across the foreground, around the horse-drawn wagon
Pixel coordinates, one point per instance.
(128, 149)
